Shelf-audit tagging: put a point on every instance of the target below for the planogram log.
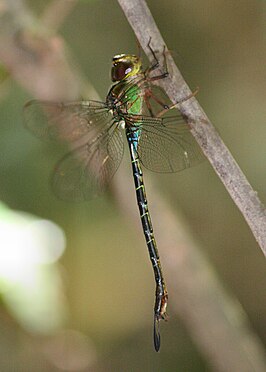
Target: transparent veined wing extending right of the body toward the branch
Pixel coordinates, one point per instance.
(166, 144)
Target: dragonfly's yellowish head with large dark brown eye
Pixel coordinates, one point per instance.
(124, 66)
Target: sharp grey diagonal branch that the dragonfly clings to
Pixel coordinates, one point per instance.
(219, 156)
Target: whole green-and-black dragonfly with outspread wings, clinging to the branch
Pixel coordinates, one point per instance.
(94, 131)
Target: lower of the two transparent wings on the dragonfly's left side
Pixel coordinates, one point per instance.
(84, 172)
